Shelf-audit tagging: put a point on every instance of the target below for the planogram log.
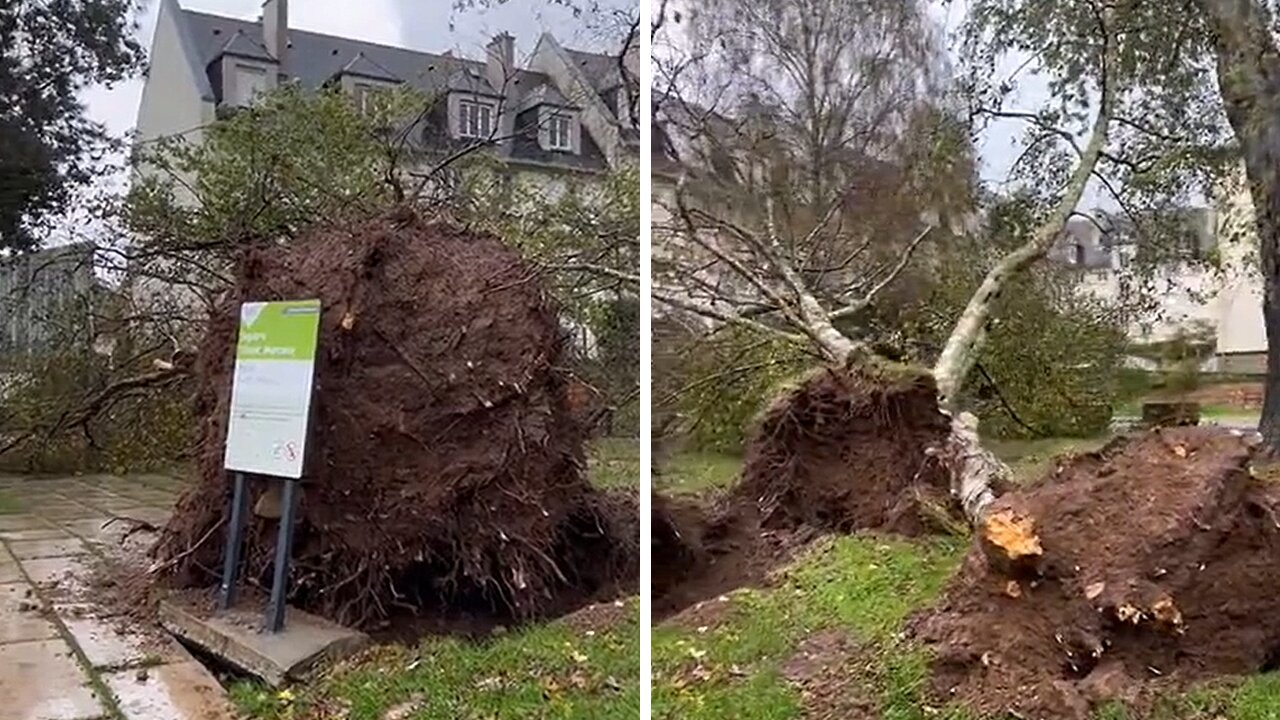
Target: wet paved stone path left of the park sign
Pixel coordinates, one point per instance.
(62, 657)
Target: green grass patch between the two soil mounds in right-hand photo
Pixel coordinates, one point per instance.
(865, 585)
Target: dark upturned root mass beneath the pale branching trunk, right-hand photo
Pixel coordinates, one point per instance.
(851, 449)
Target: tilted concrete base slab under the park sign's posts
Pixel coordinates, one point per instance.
(235, 637)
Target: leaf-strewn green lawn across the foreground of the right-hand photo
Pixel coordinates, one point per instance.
(862, 589)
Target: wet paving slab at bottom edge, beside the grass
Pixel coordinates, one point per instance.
(184, 691)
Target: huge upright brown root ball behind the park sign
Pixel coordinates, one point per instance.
(445, 467)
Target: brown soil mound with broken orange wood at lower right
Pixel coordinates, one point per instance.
(1160, 567)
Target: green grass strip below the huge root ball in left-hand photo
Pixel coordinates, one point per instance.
(551, 671)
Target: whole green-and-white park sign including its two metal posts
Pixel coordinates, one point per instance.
(268, 429)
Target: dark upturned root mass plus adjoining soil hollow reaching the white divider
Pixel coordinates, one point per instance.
(844, 452)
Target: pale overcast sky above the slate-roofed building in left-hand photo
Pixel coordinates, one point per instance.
(426, 25)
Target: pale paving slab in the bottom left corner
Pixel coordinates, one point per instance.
(42, 681)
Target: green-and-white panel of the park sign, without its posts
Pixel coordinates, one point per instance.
(276, 354)
